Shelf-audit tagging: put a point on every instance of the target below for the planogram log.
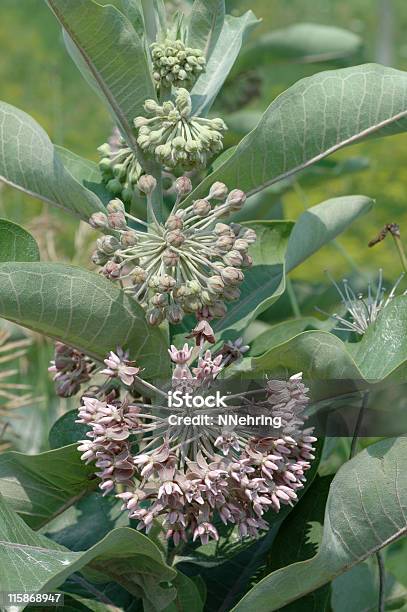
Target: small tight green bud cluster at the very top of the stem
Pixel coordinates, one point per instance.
(175, 64)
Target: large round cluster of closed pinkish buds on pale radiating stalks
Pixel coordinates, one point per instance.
(190, 264)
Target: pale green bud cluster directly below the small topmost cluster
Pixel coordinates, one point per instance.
(176, 138)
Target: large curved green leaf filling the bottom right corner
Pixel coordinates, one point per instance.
(366, 510)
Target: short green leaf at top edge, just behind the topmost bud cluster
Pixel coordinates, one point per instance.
(205, 25)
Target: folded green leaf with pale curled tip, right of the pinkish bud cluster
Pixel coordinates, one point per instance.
(321, 224)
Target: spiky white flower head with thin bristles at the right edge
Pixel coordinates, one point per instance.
(362, 311)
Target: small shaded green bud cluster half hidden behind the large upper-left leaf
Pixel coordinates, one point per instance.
(120, 169)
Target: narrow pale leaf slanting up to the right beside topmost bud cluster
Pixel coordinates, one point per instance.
(221, 61)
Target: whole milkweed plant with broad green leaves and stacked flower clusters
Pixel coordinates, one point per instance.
(187, 476)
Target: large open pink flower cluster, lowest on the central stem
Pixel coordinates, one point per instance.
(186, 475)
